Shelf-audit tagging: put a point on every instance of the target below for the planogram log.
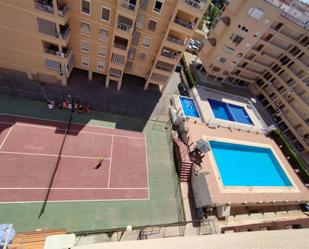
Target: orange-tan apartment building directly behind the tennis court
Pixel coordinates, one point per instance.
(46, 39)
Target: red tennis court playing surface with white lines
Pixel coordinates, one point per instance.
(29, 151)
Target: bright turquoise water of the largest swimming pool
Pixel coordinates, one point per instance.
(243, 165)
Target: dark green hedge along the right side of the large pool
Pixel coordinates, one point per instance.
(295, 160)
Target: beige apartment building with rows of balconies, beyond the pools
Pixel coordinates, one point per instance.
(264, 45)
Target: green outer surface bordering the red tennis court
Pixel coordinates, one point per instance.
(164, 205)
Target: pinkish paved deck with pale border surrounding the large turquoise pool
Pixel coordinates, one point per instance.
(218, 194)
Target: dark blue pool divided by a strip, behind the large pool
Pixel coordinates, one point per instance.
(230, 112)
